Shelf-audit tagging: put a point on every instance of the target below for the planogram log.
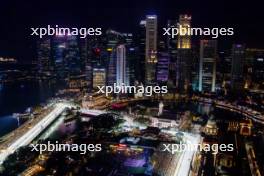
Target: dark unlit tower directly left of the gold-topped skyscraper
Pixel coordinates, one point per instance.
(172, 50)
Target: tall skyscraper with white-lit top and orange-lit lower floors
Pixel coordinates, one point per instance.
(151, 48)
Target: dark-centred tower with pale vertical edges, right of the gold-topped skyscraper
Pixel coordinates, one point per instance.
(207, 69)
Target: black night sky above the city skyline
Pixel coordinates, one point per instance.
(17, 17)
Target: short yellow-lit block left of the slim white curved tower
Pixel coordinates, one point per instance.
(99, 77)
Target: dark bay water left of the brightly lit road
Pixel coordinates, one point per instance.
(17, 97)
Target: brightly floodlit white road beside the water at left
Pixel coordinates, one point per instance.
(33, 132)
